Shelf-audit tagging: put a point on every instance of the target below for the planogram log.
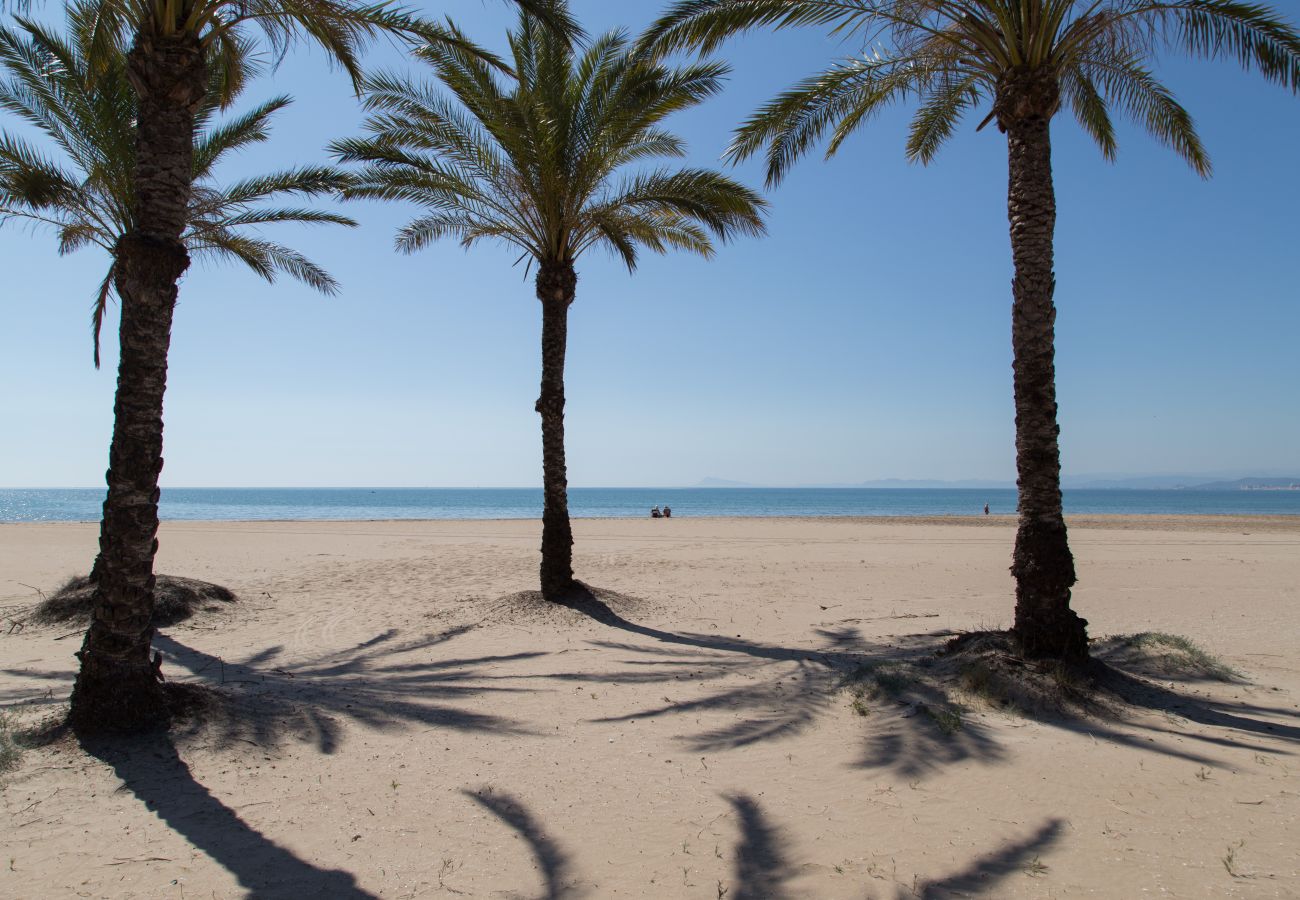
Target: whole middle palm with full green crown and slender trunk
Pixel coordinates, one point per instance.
(548, 165)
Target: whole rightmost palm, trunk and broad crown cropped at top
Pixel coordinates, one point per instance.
(1025, 59)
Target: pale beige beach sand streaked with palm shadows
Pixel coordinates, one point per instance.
(402, 725)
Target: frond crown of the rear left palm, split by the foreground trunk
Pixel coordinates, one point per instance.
(89, 198)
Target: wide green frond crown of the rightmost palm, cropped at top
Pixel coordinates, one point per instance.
(952, 55)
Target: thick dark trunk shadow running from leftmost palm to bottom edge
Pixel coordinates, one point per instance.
(154, 772)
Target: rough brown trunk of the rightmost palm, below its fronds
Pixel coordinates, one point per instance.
(1043, 566)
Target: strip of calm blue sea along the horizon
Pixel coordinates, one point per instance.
(361, 504)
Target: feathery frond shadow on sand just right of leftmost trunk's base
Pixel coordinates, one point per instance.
(383, 683)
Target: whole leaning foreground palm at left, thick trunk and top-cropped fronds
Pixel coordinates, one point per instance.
(175, 47)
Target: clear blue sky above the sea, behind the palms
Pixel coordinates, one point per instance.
(869, 336)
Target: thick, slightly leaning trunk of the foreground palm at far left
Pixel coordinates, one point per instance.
(119, 685)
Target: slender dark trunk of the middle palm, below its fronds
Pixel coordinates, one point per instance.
(556, 288)
